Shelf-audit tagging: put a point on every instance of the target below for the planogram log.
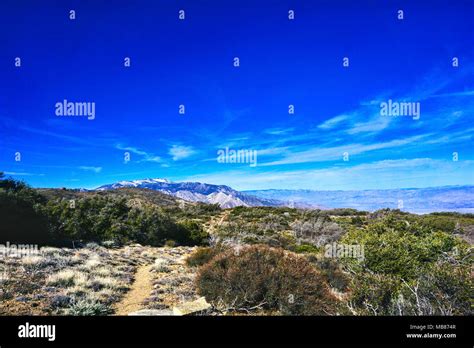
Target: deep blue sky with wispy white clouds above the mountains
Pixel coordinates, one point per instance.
(282, 62)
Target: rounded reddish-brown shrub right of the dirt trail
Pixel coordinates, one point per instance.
(262, 277)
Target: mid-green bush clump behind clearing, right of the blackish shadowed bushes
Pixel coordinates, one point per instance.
(112, 219)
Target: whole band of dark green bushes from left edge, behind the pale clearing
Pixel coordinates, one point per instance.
(69, 215)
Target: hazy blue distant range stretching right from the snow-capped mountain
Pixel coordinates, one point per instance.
(414, 200)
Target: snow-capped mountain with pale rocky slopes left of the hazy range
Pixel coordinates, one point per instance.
(223, 195)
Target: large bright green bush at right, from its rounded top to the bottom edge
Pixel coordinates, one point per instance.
(408, 269)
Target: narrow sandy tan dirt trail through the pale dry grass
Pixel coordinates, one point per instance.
(140, 290)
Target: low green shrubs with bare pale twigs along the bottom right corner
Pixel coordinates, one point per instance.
(440, 290)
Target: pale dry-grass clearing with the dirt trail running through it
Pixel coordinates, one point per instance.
(97, 281)
